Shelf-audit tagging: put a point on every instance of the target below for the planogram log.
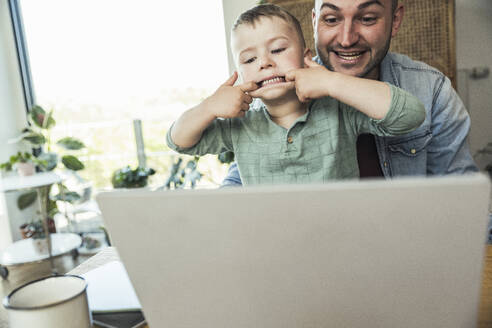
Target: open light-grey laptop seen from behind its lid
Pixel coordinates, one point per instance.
(401, 253)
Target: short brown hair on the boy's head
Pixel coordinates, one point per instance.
(253, 15)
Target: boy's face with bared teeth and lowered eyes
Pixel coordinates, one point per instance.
(264, 53)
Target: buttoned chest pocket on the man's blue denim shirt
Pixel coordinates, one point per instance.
(409, 156)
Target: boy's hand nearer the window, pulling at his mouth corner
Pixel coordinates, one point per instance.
(231, 101)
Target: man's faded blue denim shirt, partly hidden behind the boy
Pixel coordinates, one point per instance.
(439, 146)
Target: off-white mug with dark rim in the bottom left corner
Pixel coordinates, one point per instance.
(50, 302)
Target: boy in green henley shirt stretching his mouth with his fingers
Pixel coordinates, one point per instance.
(288, 139)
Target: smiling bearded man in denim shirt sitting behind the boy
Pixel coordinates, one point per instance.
(353, 37)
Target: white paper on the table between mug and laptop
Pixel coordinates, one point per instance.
(110, 289)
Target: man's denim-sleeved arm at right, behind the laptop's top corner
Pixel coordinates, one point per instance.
(448, 151)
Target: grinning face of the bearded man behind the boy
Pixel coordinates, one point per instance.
(353, 36)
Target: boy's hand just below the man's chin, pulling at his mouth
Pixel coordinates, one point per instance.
(310, 81)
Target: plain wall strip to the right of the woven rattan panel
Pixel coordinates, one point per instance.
(474, 49)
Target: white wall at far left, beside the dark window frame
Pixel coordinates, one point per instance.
(13, 117)
